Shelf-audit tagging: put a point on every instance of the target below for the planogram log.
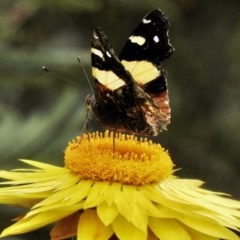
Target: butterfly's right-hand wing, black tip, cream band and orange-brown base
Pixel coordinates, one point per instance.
(143, 54)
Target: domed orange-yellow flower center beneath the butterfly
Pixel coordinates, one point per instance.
(121, 158)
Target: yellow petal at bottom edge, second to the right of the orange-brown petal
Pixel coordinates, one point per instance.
(126, 230)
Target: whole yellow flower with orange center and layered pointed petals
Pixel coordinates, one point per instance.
(117, 188)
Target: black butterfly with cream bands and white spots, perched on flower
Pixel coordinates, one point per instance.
(130, 90)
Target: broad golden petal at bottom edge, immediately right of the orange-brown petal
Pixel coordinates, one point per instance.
(91, 228)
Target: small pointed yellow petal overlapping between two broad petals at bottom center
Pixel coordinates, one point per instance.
(107, 213)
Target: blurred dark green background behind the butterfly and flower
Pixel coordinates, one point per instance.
(40, 113)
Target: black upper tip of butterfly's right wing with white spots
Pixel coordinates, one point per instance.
(149, 41)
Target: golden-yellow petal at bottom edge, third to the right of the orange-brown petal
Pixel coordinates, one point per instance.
(166, 229)
